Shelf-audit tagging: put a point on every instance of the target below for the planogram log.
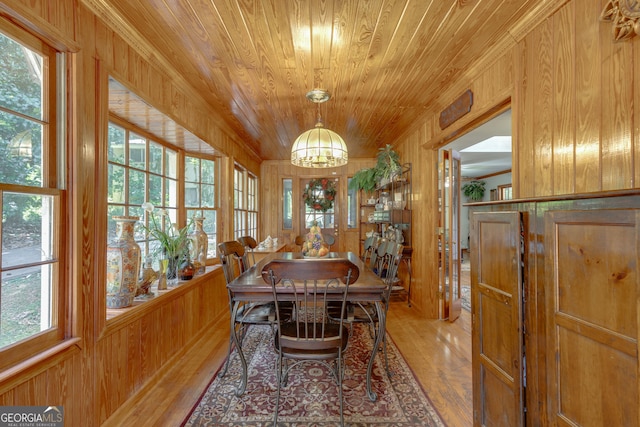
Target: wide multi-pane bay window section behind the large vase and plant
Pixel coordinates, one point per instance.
(139, 170)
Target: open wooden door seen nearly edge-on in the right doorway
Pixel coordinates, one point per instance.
(449, 234)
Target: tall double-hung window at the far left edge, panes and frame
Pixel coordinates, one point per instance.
(33, 306)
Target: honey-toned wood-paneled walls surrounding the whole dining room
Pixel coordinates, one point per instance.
(575, 130)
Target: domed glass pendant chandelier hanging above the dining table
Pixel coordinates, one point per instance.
(319, 147)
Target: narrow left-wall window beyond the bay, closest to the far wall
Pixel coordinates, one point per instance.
(245, 204)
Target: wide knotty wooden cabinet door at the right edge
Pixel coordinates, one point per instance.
(592, 290)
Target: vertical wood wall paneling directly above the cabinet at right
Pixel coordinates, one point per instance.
(576, 124)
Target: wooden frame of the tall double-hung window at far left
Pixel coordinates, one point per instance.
(54, 140)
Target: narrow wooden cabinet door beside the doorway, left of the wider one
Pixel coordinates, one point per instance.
(496, 310)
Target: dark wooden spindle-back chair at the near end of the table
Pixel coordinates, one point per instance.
(309, 336)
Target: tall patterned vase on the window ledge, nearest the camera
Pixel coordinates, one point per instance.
(123, 264)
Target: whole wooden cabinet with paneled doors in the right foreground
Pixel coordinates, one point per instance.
(555, 309)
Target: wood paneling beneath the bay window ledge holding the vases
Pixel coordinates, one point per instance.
(133, 351)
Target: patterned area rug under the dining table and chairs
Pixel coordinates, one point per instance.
(310, 397)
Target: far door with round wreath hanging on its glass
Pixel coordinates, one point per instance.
(328, 220)
